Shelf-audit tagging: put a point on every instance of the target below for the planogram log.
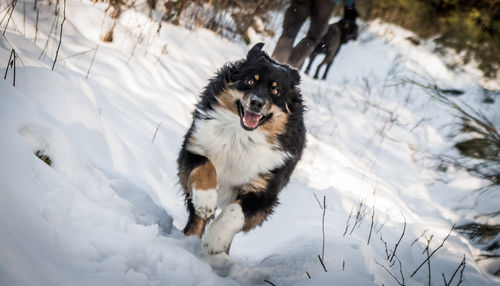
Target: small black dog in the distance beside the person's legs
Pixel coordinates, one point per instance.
(338, 33)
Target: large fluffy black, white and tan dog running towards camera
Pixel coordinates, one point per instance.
(246, 137)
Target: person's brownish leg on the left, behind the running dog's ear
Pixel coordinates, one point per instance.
(295, 16)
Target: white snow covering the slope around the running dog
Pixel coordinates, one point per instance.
(109, 210)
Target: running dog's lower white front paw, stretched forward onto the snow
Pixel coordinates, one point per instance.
(220, 233)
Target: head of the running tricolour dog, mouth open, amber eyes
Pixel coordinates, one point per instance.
(261, 91)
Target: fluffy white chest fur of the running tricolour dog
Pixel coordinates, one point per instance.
(238, 155)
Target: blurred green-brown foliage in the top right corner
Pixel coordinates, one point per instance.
(471, 27)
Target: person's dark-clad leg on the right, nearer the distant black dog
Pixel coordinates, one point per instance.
(320, 13)
